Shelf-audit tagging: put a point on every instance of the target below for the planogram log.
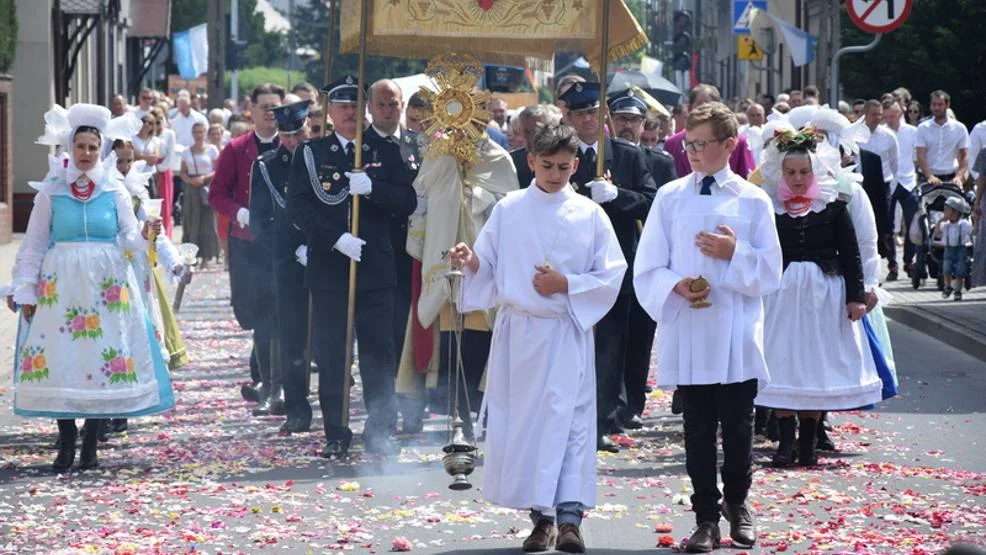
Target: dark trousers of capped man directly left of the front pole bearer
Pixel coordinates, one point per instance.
(292, 331)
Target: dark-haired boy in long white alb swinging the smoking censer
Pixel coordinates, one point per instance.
(549, 261)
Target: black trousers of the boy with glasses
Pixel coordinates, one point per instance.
(707, 407)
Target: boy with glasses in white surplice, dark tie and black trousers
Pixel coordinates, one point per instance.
(714, 224)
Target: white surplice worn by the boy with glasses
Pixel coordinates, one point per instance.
(723, 343)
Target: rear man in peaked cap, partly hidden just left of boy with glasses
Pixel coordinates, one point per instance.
(628, 112)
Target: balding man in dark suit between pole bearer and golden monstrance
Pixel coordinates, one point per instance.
(398, 163)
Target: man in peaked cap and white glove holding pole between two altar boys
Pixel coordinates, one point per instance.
(626, 197)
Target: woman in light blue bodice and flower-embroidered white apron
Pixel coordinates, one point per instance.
(86, 347)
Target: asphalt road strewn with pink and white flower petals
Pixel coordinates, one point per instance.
(910, 477)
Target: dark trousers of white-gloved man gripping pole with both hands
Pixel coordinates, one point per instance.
(376, 357)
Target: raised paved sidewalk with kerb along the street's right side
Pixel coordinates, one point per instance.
(961, 324)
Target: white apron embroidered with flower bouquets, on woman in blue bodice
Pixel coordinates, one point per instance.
(88, 350)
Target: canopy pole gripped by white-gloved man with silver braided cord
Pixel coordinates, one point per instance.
(354, 220)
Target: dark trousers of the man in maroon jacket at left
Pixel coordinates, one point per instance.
(251, 285)
